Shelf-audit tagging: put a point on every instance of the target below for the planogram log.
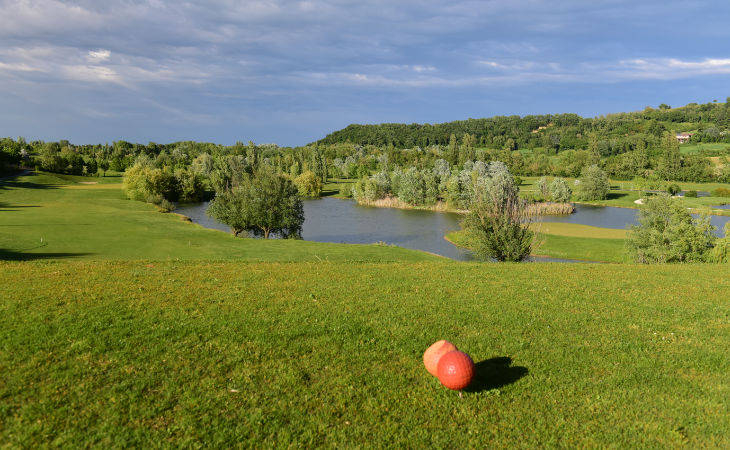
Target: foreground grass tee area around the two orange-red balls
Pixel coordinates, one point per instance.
(227, 354)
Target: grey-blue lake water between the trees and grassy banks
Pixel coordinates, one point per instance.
(343, 221)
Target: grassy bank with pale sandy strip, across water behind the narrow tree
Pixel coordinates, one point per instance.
(570, 241)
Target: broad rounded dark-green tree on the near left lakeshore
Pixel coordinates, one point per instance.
(262, 203)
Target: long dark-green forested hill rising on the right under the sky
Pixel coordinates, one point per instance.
(710, 122)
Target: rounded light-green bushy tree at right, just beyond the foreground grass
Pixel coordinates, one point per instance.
(667, 233)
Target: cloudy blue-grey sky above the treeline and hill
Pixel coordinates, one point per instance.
(290, 72)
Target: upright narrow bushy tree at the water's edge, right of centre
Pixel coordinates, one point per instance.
(498, 222)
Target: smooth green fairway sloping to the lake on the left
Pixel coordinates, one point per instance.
(43, 216)
